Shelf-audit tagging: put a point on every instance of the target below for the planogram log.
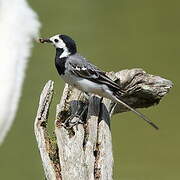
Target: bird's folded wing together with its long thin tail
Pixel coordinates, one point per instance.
(80, 67)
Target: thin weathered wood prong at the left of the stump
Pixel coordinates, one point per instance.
(51, 168)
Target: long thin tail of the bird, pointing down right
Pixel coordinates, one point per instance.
(137, 112)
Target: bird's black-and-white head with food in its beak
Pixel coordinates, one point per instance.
(62, 43)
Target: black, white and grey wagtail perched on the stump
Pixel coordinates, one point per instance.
(81, 74)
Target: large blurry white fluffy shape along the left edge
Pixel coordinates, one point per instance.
(18, 26)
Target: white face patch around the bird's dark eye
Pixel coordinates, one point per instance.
(59, 43)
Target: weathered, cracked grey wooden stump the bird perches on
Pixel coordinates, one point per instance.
(84, 152)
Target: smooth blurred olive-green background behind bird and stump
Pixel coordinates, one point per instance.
(114, 35)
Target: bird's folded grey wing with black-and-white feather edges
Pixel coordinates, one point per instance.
(80, 67)
